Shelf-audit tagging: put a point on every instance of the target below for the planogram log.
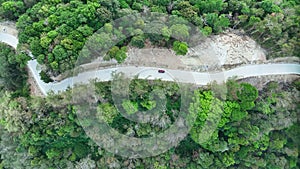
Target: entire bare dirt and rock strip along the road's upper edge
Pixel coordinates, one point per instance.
(214, 53)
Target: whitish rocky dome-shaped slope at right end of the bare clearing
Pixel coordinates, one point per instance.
(226, 49)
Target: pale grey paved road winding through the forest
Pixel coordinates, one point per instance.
(151, 72)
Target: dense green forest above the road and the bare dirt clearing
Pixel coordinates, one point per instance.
(55, 31)
